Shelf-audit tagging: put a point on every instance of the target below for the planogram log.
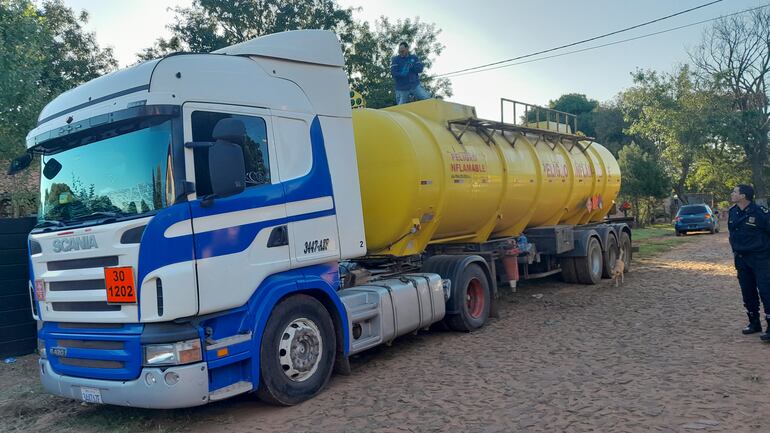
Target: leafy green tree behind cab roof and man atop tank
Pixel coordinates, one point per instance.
(208, 25)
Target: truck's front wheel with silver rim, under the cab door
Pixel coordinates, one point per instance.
(296, 312)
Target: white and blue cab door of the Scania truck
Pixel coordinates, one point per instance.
(239, 240)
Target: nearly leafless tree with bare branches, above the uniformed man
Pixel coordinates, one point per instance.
(735, 55)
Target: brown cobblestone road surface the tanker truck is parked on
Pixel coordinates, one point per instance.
(663, 353)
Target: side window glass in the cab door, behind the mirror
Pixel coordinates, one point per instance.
(254, 148)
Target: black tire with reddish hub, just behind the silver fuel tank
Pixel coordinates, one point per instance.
(473, 287)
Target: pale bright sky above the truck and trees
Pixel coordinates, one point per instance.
(480, 32)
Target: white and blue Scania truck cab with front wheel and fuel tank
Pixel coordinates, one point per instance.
(194, 210)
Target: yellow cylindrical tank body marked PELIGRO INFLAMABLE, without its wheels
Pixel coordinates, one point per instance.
(419, 185)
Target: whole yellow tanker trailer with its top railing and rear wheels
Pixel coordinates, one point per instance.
(439, 185)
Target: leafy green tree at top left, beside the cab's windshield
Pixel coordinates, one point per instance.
(43, 52)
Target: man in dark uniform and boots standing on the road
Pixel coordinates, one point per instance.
(749, 226)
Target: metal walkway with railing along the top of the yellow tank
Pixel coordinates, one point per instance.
(486, 129)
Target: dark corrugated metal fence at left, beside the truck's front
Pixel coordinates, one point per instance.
(17, 328)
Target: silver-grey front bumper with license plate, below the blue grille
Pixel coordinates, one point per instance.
(192, 388)
